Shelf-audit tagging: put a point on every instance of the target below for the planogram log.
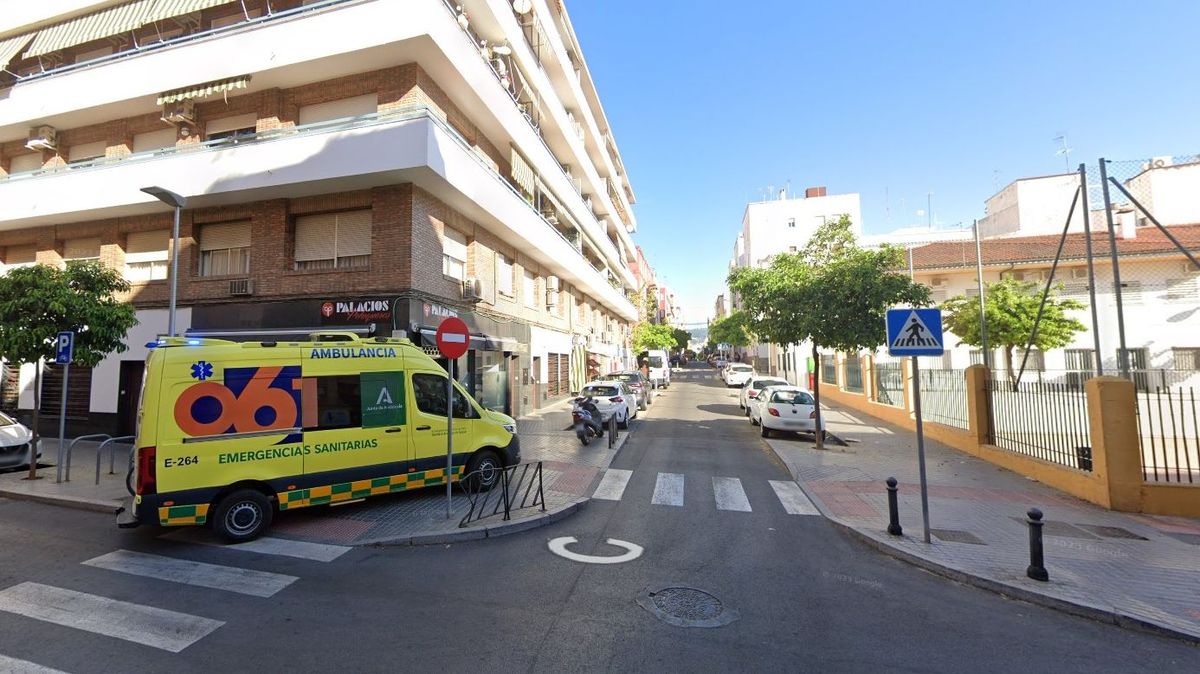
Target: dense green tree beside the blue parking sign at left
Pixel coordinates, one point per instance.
(40, 302)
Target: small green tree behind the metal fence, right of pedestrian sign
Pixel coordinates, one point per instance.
(1011, 311)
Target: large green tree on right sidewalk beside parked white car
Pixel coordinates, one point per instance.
(833, 294)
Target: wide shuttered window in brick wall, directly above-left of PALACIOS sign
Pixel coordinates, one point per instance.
(333, 240)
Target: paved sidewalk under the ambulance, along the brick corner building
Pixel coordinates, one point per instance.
(569, 472)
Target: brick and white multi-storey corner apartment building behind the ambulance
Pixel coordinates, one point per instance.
(355, 165)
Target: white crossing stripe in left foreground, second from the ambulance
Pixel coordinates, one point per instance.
(230, 579)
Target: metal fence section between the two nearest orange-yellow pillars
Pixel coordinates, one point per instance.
(1045, 420)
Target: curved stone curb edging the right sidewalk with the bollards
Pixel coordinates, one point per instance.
(1100, 615)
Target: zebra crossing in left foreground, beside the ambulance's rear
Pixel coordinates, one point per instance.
(148, 625)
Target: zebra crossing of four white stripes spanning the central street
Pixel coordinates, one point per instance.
(729, 494)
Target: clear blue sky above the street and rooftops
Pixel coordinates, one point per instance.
(712, 103)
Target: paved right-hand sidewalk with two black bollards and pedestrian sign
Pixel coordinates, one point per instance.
(1117, 568)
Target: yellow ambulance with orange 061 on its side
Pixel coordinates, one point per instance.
(230, 432)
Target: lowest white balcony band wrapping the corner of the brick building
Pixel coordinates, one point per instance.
(333, 157)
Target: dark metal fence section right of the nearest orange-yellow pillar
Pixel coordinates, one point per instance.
(1168, 428)
